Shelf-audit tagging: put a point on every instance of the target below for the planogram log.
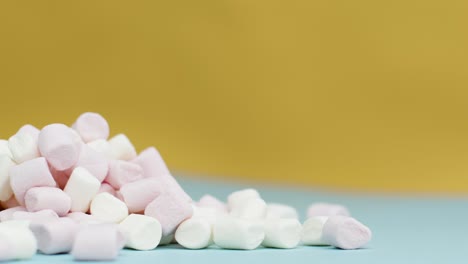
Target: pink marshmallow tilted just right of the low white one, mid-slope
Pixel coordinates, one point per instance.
(137, 195)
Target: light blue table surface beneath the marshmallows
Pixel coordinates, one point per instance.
(405, 230)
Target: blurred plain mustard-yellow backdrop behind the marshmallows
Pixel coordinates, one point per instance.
(360, 95)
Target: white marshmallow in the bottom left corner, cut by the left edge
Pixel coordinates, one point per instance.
(22, 243)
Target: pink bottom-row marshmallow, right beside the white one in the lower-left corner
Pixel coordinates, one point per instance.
(56, 236)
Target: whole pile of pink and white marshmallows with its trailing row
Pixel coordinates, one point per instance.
(71, 189)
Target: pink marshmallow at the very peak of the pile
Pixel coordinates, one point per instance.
(91, 126)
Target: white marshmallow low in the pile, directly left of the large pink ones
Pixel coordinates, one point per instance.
(108, 208)
